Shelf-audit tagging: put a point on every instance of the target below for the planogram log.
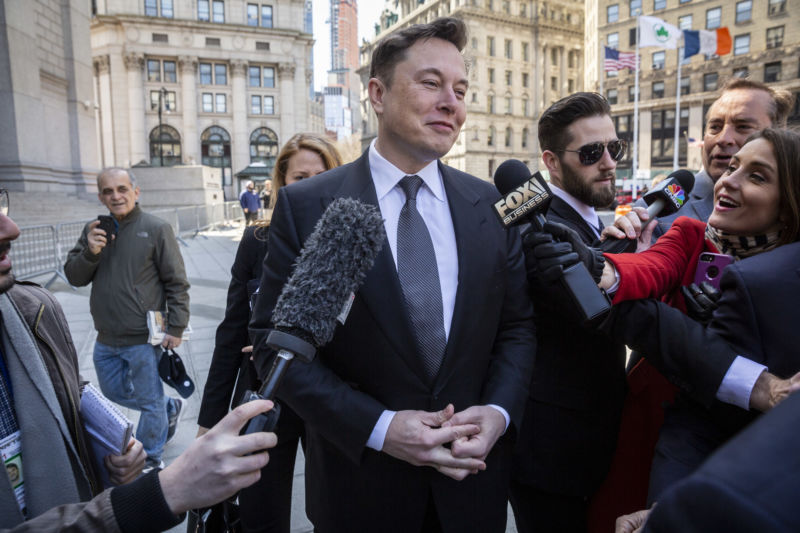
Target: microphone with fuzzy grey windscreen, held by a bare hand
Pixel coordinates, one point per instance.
(331, 267)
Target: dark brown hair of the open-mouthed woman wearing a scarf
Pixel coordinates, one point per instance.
(786, 149)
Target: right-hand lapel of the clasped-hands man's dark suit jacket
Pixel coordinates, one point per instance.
(472, 269)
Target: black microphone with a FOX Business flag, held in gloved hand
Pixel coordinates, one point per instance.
(526, 198)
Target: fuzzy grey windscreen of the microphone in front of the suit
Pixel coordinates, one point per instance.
(333, 263)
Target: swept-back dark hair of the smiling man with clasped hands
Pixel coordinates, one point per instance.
(392, 49)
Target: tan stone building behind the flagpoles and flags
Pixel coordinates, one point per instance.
(766, 47)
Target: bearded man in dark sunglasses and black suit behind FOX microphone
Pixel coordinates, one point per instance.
(569, 432)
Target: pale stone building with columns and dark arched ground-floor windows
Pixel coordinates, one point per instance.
(221, 83)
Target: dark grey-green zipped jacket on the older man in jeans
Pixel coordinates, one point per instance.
(140, 270)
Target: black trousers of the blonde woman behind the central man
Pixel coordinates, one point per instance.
(266, 506)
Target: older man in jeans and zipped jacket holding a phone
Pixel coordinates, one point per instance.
(134, 267)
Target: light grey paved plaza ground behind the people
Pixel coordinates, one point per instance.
(208, 258)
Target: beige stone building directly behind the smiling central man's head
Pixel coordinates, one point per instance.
(522, 56)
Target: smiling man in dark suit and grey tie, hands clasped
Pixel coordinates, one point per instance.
(415, 378)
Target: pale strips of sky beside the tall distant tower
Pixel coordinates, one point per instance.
(369, 12)
